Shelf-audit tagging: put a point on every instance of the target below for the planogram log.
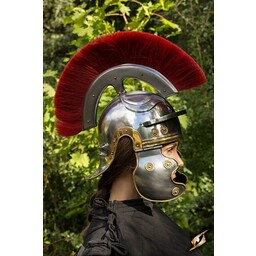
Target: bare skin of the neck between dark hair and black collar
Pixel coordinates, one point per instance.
(123, 188)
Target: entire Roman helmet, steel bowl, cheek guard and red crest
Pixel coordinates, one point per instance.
(147, 118)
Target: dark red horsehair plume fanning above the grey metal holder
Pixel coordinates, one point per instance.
(115, 49)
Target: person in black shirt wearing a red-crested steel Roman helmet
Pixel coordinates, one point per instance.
(138, 133)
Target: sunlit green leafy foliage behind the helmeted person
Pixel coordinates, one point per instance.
(70, 24)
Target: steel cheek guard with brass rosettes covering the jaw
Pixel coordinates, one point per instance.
(153, 176)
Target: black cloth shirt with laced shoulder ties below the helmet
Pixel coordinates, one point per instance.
(134, 228)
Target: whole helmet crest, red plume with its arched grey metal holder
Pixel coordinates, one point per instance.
(110, 59)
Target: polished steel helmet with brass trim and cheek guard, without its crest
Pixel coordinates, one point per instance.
(151, 122)
